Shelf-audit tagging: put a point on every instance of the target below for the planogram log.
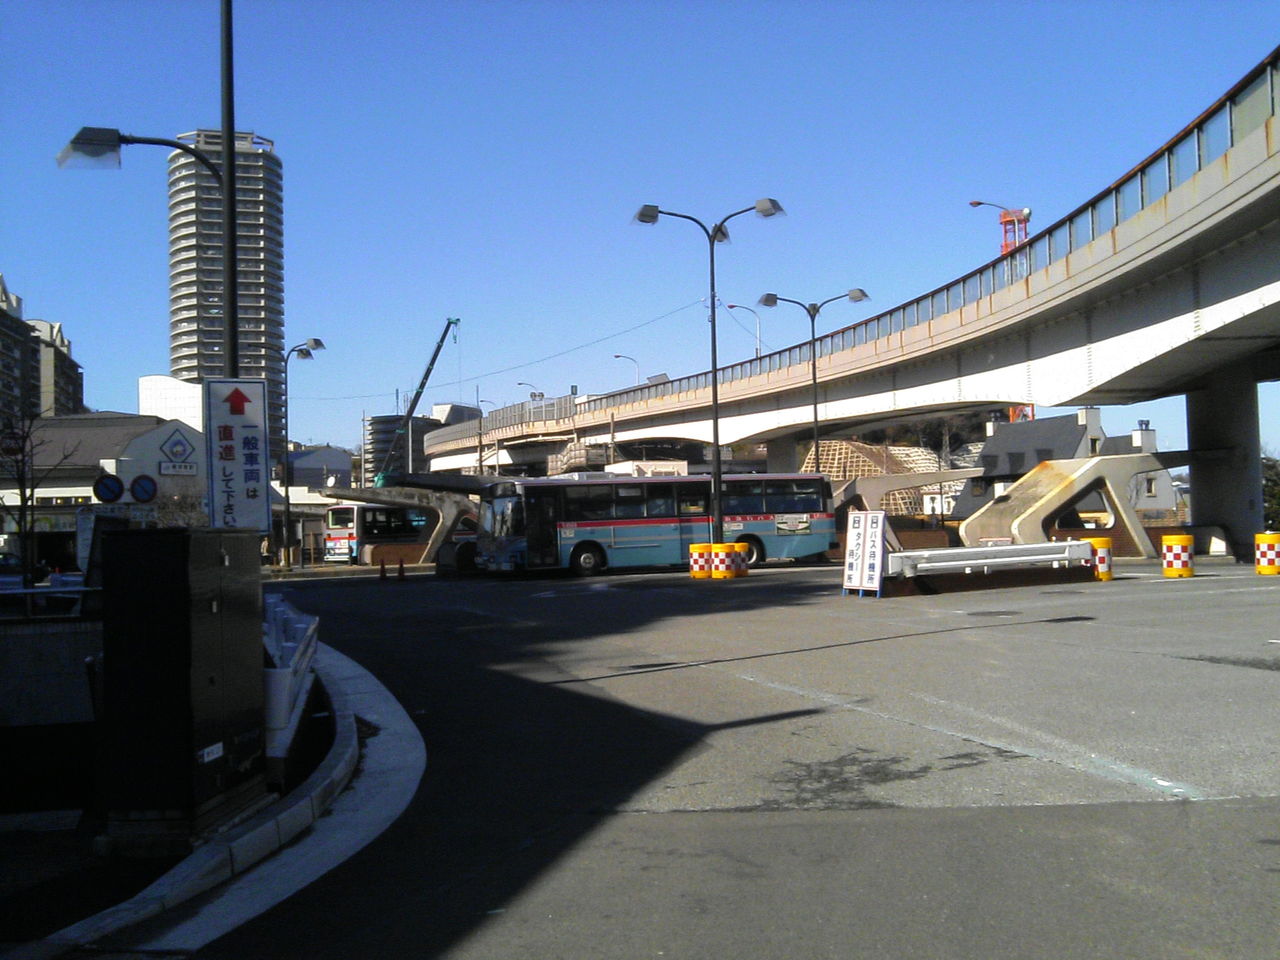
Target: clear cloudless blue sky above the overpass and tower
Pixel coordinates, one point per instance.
(484, 161)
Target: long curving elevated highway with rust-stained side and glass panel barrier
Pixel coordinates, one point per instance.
(1167, 282)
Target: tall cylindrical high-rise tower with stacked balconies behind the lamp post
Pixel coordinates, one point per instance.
(196, 328)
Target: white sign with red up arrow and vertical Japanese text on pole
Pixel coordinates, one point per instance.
(240, 463)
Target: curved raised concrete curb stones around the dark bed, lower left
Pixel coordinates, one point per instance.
(222, 858)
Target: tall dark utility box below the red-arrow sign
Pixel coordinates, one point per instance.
(182, 696)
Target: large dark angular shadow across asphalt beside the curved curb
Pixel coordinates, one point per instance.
(518, 770)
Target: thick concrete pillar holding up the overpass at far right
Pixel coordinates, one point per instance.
(1227, 479)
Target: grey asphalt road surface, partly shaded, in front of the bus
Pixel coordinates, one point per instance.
(647, 766)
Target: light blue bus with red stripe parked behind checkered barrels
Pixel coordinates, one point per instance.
(592, 523)
